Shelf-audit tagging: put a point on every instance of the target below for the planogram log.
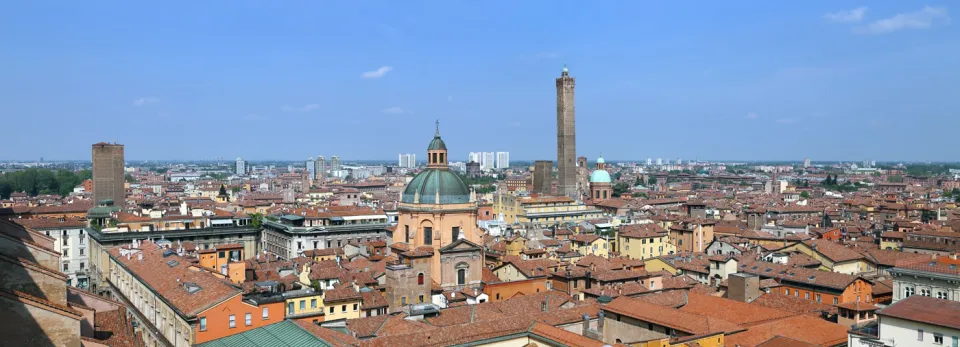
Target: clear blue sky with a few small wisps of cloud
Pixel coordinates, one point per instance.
(751, 80)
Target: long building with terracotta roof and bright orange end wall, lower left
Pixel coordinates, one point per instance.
(178, 303)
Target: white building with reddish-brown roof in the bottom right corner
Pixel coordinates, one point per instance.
(917, 321)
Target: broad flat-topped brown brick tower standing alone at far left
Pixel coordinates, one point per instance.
(108, 175)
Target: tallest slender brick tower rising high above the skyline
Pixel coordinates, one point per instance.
(566, 136)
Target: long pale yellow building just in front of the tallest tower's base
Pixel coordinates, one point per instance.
(546, 210)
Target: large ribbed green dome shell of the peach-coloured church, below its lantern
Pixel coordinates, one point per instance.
(430, 182)
